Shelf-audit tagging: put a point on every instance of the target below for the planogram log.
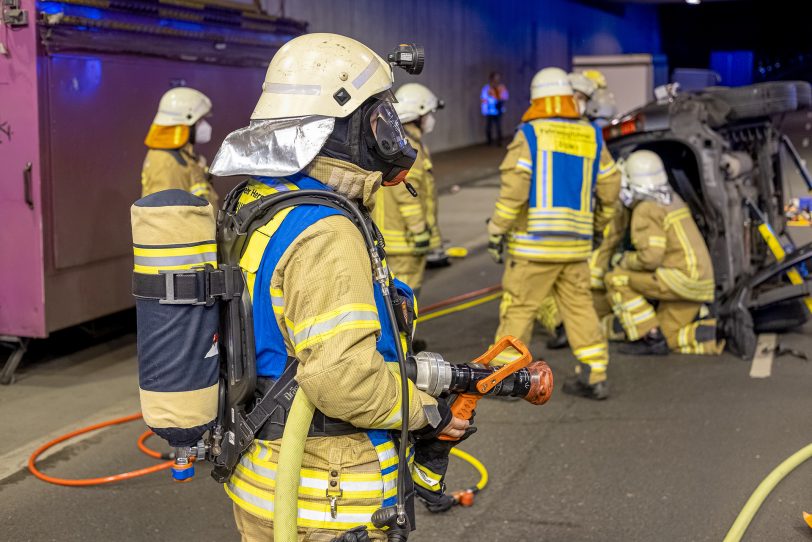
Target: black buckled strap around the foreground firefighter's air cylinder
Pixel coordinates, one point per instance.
(200, 286)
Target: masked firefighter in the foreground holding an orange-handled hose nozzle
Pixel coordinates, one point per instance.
(312, 287)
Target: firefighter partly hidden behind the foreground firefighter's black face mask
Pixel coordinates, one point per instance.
(405, 219)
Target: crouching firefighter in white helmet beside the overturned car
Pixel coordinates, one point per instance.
(670, 264)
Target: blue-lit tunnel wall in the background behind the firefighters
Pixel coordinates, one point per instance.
(467, 39)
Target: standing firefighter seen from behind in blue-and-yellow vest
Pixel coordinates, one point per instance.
(555, 166)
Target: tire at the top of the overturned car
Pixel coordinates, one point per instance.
(759, 100)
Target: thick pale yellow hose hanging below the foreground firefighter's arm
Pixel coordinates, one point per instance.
(289, 468)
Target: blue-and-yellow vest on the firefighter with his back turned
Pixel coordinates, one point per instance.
(565, 162)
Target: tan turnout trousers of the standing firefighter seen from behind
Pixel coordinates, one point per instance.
(526, 284)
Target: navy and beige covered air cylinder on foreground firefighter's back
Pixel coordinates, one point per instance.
(178, 358)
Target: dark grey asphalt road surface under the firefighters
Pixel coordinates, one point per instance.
(671, 456)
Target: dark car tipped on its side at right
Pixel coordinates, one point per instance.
(722, 148)
